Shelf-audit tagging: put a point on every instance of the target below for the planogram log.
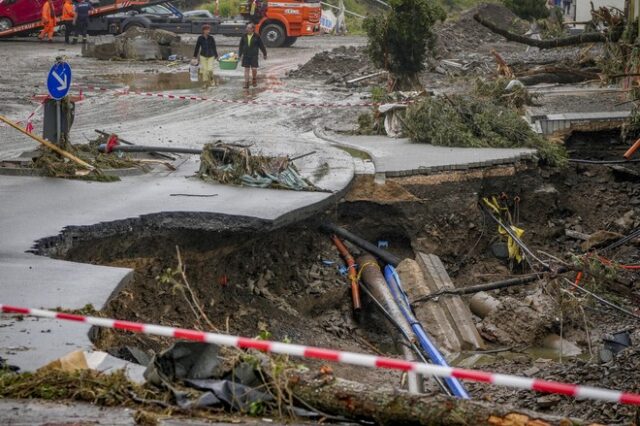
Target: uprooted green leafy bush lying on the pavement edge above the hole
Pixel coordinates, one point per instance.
(470, 122)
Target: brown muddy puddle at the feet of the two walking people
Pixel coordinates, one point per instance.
(159, 81)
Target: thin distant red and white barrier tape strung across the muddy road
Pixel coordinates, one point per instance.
(236, 101)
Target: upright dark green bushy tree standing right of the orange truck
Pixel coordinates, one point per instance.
(400, 39)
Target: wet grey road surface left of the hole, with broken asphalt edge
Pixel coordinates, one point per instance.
(34, 208)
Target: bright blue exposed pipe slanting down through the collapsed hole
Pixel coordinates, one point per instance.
(393, 282)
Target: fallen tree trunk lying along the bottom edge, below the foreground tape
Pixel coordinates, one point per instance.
(389, 406)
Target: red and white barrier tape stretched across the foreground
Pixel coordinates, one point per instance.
(351, 358)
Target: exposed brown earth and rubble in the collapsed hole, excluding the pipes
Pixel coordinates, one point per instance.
(286, 282)
